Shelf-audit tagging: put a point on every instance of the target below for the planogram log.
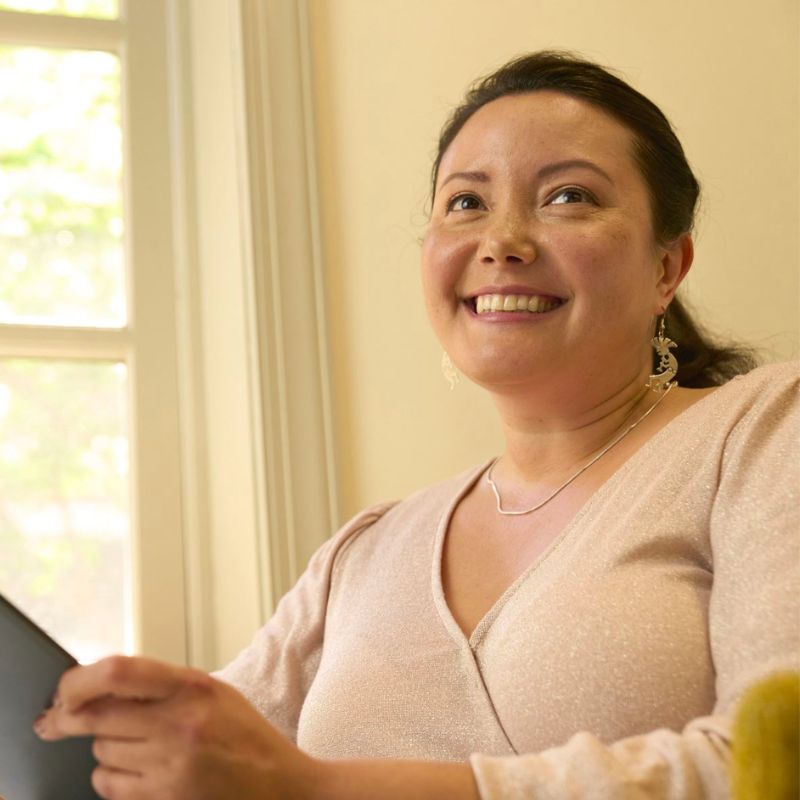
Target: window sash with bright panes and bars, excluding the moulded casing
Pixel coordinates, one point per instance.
(89, 445)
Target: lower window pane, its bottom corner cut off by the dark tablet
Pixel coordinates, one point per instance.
(64, 522)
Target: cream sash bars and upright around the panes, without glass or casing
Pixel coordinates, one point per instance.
(147, 343)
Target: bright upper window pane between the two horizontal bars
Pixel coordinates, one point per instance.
(60, 188)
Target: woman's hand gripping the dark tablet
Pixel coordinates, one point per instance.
(175, 733)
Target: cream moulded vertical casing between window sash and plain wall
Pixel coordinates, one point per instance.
(260, 484)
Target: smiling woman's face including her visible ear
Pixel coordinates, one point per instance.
(541, 207)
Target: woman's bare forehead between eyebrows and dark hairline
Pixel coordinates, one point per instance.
(537, 127)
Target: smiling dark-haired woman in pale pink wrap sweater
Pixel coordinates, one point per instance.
(576, 618)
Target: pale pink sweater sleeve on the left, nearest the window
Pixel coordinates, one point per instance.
(276, 670)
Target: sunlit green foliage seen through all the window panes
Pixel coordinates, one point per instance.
(64, 529)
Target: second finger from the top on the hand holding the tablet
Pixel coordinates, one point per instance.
(109, 716)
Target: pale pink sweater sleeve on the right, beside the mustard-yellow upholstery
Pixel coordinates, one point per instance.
(754, 627)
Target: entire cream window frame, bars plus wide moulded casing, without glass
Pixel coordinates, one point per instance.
(234, 474)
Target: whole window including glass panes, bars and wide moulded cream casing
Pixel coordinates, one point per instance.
(208, 473)
